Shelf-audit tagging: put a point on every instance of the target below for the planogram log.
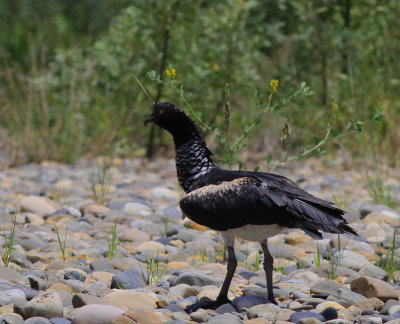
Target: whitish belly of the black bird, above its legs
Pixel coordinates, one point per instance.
(256, 233)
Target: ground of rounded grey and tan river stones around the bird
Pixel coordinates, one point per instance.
(164, 263)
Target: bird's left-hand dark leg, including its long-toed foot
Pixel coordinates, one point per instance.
(223, 294)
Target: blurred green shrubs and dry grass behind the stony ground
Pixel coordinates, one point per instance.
(66, 86)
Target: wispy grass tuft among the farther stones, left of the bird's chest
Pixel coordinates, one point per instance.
(100, 179)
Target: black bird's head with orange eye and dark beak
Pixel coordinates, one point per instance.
(171, 118)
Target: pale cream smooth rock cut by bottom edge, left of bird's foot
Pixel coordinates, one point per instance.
(94, 314)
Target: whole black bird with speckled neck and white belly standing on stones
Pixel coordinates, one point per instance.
(246, 204)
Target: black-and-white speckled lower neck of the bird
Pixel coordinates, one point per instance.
(193, 159)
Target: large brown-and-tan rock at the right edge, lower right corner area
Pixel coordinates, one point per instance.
(372, 287)
